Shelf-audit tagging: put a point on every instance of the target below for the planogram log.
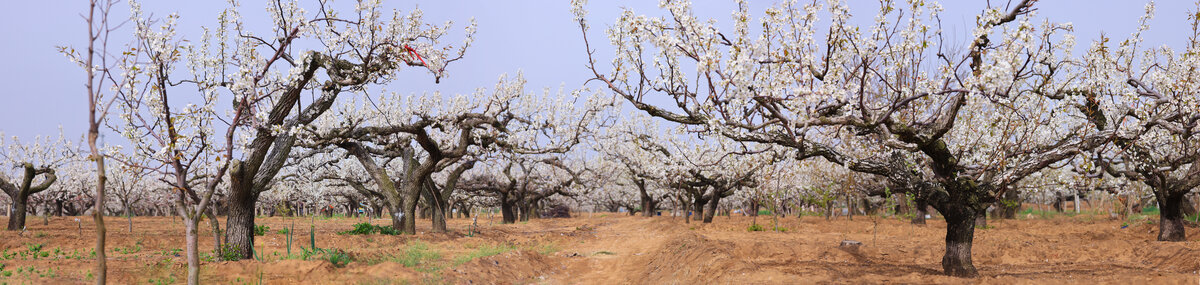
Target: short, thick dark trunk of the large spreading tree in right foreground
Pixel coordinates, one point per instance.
(959, 234)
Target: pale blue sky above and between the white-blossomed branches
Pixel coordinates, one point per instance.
(41, 92)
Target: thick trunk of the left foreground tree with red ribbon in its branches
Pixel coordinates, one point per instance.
(241, 221)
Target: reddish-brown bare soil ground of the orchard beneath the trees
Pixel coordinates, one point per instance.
(620, 250)
